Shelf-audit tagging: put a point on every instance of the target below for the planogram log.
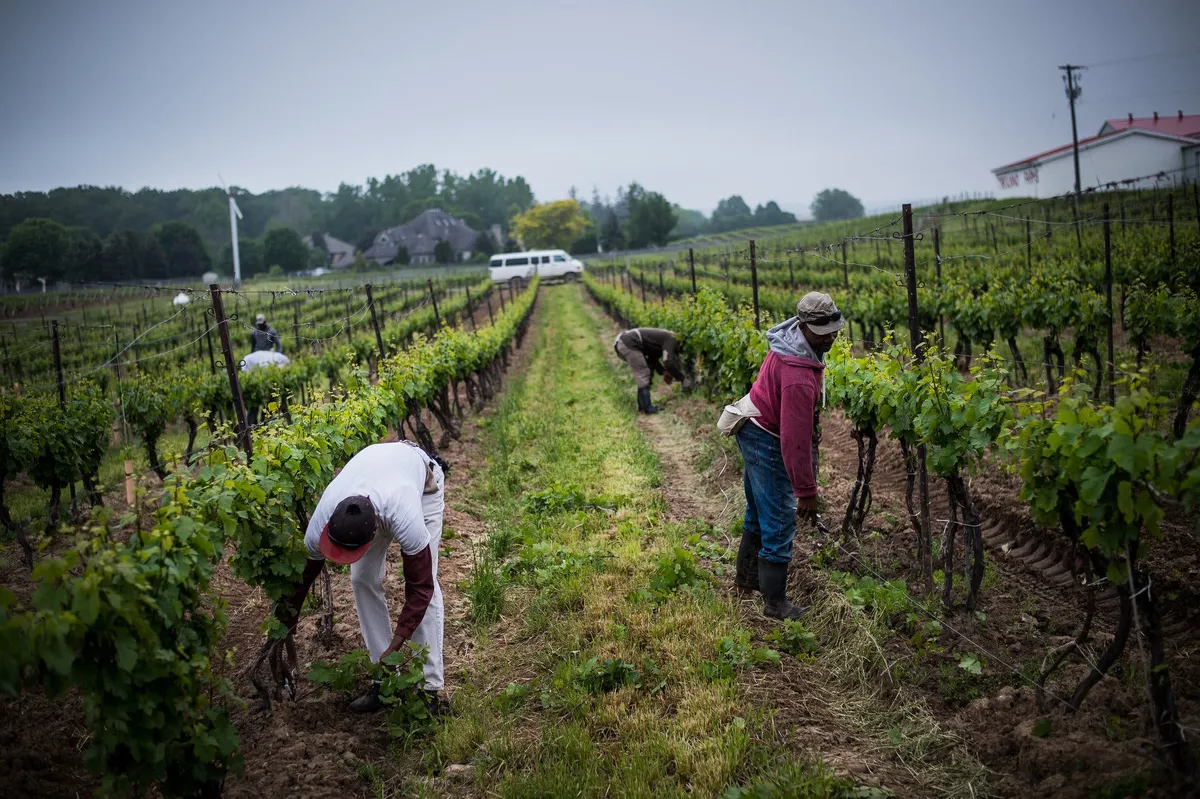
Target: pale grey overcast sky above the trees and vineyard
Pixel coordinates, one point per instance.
(693, 99)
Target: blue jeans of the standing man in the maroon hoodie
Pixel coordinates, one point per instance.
(771, 502)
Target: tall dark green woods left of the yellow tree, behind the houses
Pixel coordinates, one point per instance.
(112, 235)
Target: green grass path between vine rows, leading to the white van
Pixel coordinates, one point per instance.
(608, 662)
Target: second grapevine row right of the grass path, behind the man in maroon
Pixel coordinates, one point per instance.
(1047, 299)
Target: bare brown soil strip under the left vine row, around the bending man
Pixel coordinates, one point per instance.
(315, 747)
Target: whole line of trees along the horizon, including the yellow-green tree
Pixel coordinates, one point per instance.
(91, 233)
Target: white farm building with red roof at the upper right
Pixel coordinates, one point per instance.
(1129, 153)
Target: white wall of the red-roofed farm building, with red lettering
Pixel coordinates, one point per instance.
(1121, 159)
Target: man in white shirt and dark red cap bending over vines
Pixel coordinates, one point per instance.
(388, 492)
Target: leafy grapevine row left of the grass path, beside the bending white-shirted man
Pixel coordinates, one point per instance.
(130, 622)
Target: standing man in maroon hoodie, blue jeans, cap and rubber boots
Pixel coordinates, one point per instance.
(779, 447)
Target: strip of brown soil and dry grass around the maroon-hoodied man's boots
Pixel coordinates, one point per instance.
(832, 705)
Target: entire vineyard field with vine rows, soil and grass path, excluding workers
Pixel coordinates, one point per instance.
(1003, 590)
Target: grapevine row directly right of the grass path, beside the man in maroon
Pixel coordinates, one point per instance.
(1105, 474)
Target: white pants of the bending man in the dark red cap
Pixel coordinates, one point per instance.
(367, 580)
